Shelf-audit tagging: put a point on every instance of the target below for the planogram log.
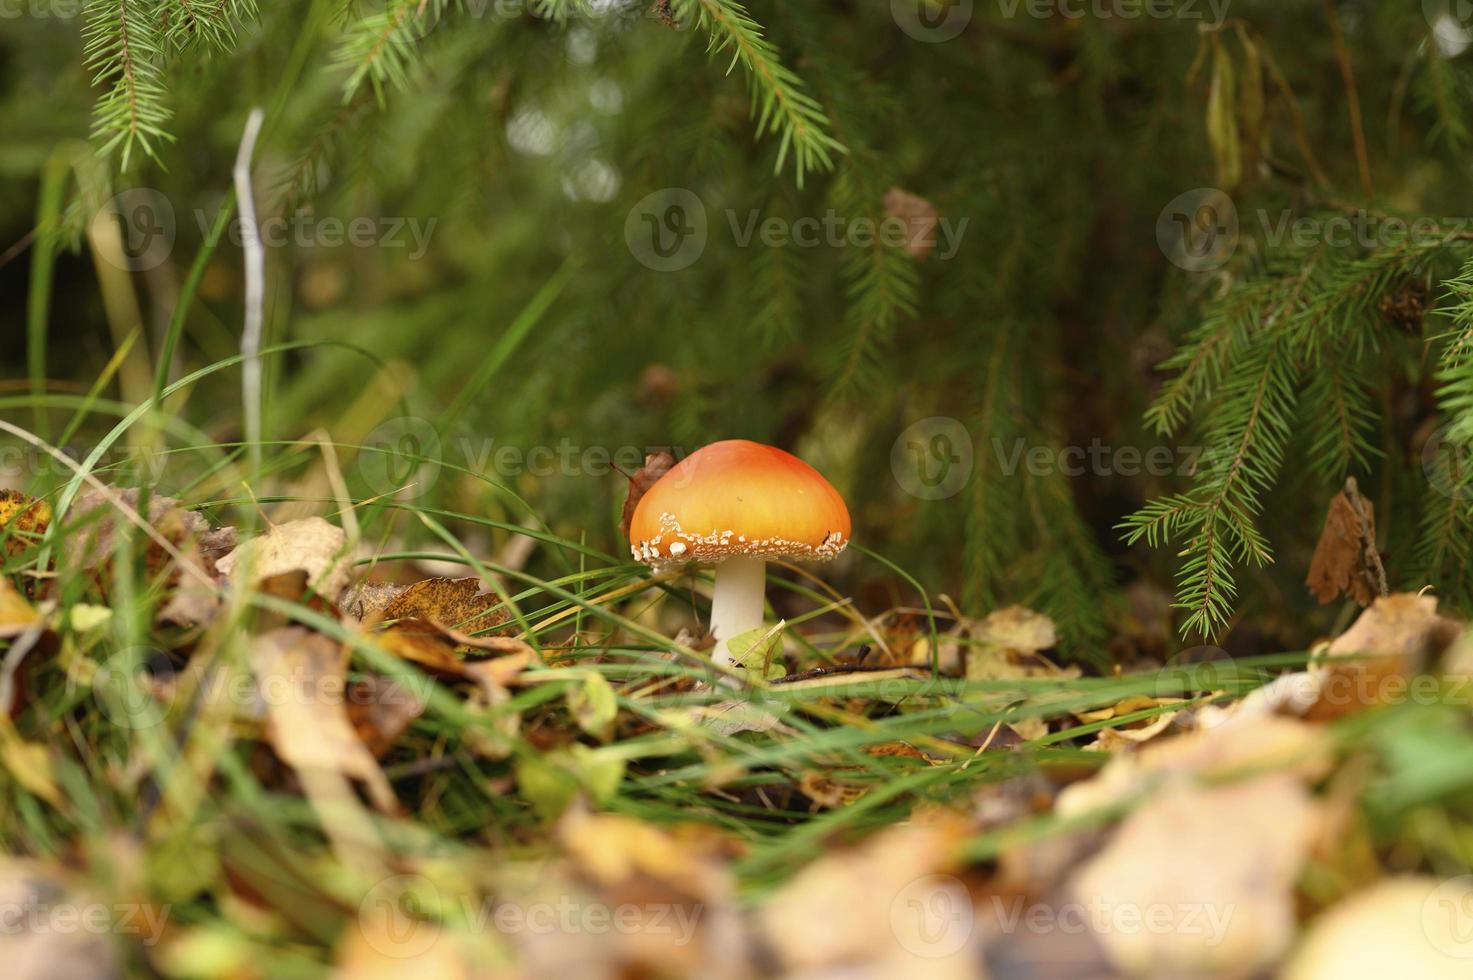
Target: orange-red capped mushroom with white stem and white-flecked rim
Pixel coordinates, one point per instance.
(736, 505)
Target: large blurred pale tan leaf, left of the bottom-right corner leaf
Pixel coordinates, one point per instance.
(1210, 870)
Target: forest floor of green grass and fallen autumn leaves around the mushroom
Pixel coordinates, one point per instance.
(289, 751)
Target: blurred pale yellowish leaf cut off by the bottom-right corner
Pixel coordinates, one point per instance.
(1402, 928)
